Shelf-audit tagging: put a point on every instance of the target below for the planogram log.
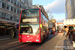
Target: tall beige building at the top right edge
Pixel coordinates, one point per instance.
(70, 9)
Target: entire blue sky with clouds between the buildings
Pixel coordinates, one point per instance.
(55, 7)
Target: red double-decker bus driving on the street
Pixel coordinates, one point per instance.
(33, 26)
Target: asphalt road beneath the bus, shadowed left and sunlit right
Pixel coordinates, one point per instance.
(51, 43)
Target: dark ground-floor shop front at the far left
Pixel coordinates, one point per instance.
(5, 28)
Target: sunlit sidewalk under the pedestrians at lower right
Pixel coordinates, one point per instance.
(65, 43)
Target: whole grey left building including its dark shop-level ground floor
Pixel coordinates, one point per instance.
(10, 13)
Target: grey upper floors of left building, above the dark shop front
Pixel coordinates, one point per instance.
(10, 9)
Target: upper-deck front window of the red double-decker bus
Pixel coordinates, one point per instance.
(30, 13)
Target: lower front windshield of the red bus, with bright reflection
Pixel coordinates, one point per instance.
(29, 29)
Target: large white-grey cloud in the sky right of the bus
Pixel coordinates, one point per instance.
(58, 6)
